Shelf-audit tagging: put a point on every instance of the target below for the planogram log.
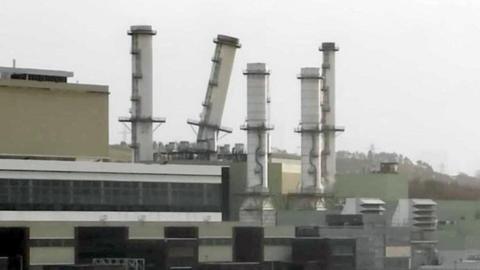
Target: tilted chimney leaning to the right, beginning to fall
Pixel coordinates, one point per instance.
(210, 121)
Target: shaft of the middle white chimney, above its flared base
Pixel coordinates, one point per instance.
(257, 126)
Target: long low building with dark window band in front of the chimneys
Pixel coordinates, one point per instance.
(53, 215)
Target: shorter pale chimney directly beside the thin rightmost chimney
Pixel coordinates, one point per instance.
(311, 188)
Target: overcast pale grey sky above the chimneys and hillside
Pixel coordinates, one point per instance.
(407, 71)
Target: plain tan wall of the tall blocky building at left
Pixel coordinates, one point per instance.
(53, 119)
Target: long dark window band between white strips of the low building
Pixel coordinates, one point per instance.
(108, 196)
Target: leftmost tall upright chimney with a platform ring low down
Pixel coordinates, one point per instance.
(141, 110)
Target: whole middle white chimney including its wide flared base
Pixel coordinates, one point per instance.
(257, 206)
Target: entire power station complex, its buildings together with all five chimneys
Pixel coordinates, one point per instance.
(193, 205)
